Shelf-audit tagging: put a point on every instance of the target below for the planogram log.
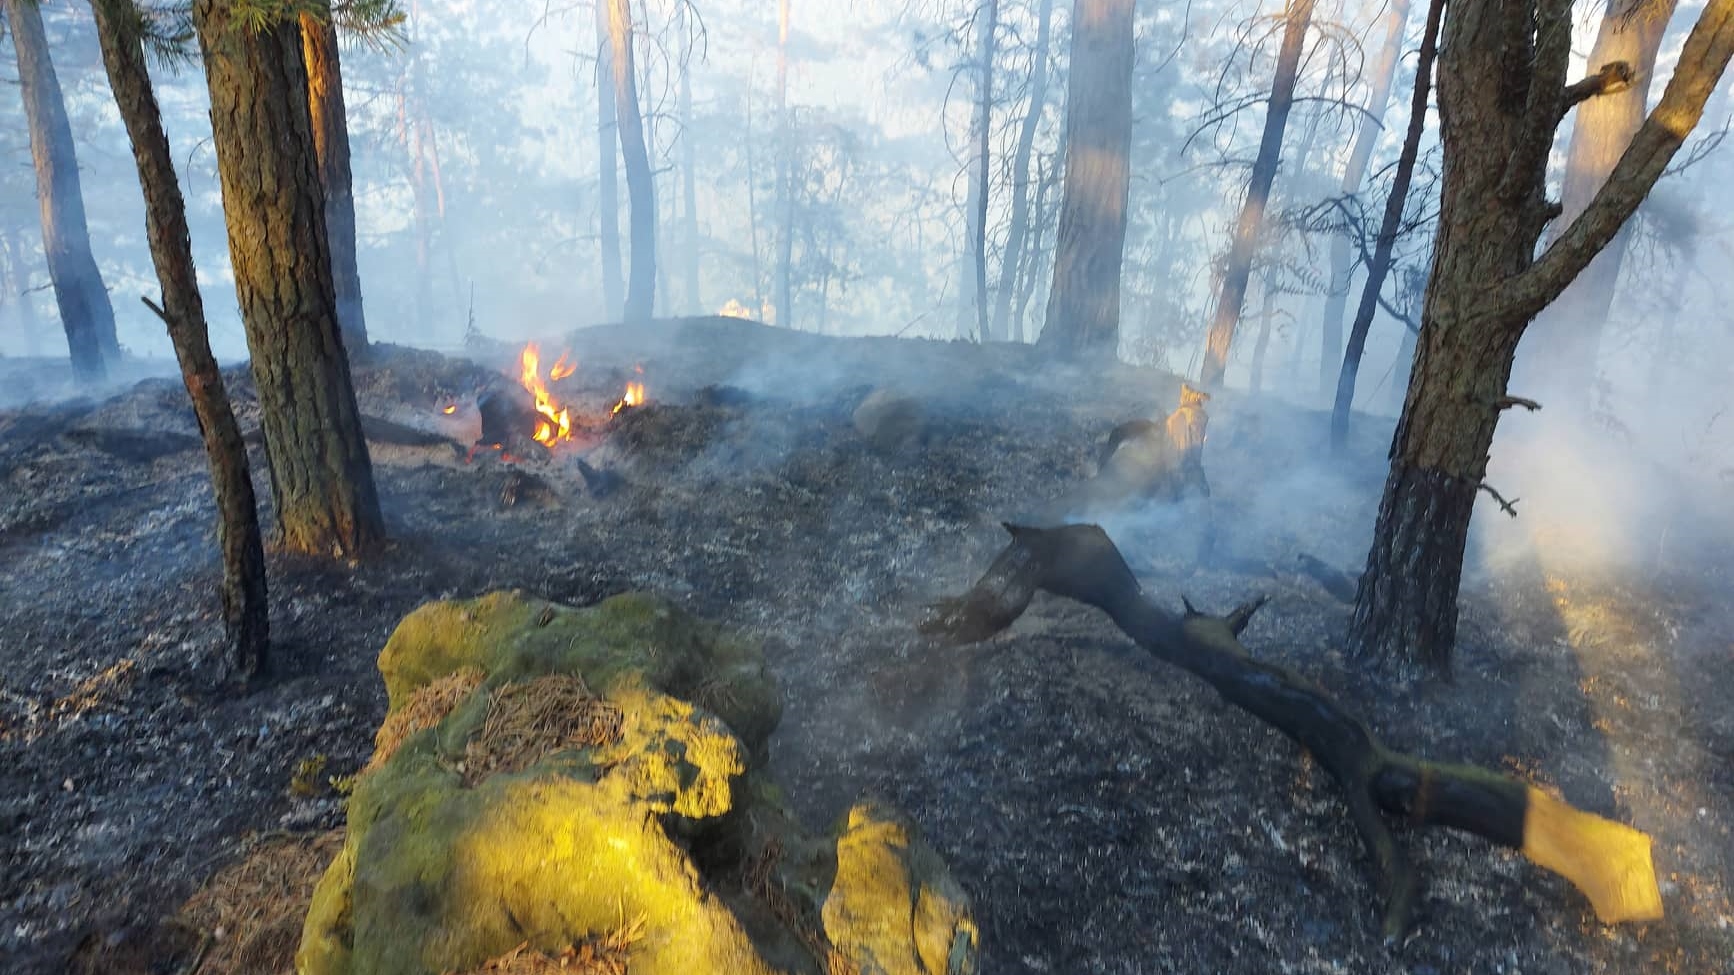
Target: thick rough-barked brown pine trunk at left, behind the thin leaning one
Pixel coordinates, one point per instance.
(322, 478)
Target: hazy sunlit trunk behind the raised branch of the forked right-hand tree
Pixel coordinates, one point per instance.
(1565, 341)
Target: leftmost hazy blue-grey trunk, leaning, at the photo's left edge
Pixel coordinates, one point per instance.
(84, 303)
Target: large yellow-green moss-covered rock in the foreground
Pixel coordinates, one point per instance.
(455, 856)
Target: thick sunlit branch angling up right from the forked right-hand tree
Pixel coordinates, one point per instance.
(1702, 63)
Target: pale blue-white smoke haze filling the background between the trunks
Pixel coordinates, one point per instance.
(478, 197)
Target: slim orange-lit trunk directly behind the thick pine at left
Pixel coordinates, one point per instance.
(325, 101)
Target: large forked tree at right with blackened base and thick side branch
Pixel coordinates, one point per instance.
(1503, 93)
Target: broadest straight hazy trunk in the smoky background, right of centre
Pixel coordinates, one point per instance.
(1085, 303)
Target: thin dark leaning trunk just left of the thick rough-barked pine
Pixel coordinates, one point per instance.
(244, 556)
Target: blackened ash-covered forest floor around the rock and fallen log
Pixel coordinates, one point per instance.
(1105, 813)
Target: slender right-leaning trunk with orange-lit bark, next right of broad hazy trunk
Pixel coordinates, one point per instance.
(1239, 270)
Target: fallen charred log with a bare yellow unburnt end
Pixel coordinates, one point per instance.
(1608, 861)
